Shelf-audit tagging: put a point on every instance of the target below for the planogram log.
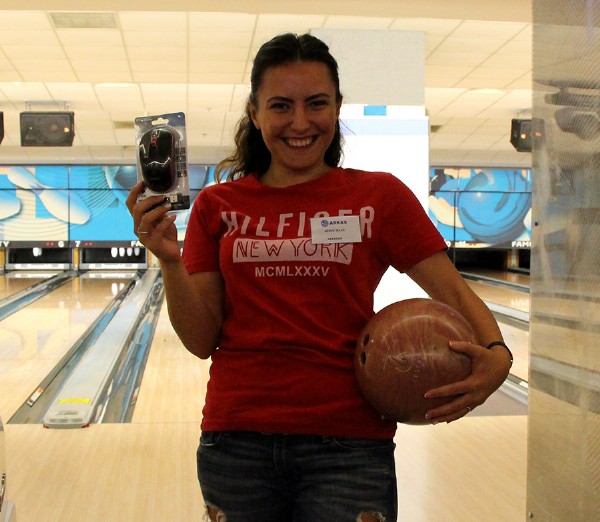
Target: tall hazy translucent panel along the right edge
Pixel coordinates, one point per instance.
(563, 482)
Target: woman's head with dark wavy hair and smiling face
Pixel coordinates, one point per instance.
(294, 103)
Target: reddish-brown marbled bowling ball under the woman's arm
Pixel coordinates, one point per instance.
(403, 352)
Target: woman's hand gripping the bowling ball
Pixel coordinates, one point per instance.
(489, 370)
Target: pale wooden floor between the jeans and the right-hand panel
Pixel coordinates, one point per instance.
(471, 470)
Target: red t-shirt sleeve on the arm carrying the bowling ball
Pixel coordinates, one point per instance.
(408, 235)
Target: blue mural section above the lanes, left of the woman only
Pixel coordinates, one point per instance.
(50, 210)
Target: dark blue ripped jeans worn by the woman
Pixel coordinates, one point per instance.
(254, 477)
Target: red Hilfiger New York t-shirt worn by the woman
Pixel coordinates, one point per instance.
(293, 309)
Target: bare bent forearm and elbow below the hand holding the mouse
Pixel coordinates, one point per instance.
(194, 304)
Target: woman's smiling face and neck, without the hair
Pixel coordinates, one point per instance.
(296, 112)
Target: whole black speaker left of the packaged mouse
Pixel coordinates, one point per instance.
(47, 129)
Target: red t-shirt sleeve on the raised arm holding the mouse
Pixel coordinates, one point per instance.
(201, 243)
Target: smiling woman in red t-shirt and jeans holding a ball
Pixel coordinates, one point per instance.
(286, 433)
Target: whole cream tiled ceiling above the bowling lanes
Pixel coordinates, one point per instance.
(199, 63)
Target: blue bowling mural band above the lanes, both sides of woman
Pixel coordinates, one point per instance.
(50, 208)
